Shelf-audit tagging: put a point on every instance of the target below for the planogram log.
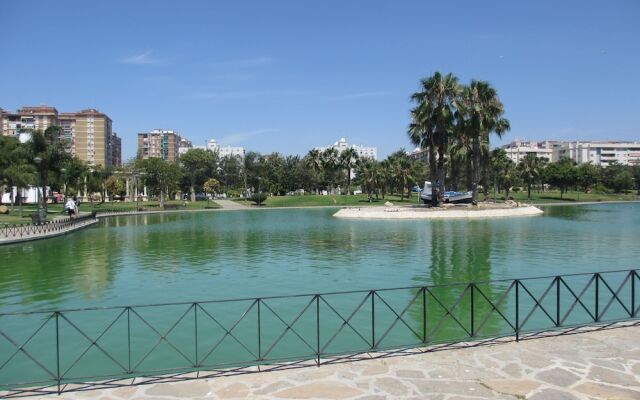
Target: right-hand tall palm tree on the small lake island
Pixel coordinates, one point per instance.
(480, 113)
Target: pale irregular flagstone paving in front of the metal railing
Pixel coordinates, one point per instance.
(603, 364)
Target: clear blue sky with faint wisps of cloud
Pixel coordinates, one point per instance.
(288, 76)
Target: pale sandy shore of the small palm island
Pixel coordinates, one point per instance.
(437, 213)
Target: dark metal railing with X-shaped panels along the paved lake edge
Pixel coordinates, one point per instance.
(52, 349)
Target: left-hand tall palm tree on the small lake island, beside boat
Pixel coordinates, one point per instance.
(440, 95)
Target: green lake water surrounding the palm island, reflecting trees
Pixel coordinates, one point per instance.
(170, 258)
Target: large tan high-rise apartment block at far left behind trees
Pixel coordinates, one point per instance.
(88, 133)
